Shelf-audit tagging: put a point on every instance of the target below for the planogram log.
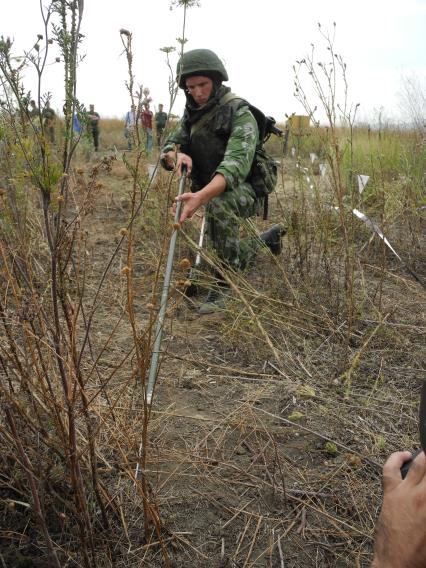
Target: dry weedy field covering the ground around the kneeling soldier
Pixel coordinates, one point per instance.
(271, 418)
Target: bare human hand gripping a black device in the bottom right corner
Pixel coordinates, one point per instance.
(401, 528)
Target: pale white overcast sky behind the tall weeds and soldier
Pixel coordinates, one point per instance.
(381, 41)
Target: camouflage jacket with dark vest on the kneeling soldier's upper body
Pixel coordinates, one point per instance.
(225, 143)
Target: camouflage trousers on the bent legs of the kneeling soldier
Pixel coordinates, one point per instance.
(224, 216)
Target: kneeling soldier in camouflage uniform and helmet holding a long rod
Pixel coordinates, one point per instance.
(216, 141)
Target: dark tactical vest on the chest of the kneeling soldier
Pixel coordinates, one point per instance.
(208, 140)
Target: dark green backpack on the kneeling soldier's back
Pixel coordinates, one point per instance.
(264, 170)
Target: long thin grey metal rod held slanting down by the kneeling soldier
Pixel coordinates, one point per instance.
(152, 376)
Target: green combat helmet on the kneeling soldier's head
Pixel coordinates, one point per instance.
(199, 62)
